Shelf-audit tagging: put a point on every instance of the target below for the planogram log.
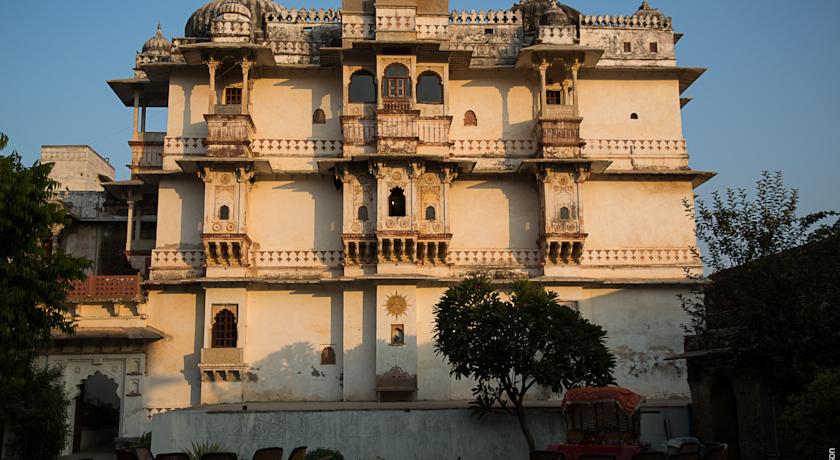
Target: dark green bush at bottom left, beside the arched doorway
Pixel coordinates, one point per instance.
(39, 429)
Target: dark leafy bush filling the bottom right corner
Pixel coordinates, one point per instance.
(810, 422)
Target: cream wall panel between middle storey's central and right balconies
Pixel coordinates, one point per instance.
(494, 213)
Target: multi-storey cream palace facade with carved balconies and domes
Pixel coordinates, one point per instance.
(325, 175)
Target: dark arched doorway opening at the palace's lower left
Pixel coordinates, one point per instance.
(96, 420)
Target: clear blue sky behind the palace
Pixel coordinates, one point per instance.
(769, 101)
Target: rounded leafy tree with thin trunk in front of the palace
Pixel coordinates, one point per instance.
(509, 346)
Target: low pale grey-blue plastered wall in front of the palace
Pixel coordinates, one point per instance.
(398, 434)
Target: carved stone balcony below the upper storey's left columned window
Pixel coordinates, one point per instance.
(229, 132)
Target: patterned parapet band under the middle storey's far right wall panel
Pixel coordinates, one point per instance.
(640, 256)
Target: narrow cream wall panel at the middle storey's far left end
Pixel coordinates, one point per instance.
(180, 212)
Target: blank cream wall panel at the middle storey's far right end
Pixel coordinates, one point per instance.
(637, 214)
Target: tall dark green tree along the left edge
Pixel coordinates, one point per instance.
(34, 283)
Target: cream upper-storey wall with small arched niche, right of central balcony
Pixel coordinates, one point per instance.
(503, 101)
